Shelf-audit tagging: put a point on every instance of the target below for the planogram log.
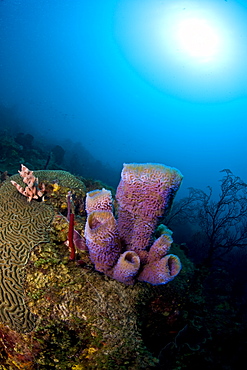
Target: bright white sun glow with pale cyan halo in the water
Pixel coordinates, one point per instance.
(191, 50)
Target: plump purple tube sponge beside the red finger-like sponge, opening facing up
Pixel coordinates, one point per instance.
(102, 240)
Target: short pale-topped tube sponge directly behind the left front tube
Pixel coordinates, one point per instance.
(99, 200)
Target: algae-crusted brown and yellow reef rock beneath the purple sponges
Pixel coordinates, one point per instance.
(85, 320)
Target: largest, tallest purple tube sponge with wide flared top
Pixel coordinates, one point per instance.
(144, 194)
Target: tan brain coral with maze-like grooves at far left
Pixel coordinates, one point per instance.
(23, 225)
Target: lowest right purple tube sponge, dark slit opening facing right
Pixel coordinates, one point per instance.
(162, 271)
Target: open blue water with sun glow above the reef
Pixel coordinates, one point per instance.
(128, 82)
